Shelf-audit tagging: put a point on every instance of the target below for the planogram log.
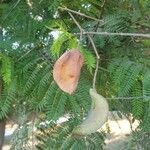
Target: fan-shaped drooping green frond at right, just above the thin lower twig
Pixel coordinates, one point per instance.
(124, 73)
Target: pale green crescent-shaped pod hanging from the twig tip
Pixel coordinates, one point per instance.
(97, 116)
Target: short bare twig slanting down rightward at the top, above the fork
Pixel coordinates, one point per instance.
(78, 13)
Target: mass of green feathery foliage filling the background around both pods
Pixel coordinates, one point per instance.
(26, 36)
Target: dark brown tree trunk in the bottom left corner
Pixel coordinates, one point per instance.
(2, 132)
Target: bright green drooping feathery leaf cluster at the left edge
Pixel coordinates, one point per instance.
(7, 86)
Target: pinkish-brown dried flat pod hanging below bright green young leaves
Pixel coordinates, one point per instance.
(66, 71)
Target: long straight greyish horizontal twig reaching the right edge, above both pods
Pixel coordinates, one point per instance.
(118, 34)
